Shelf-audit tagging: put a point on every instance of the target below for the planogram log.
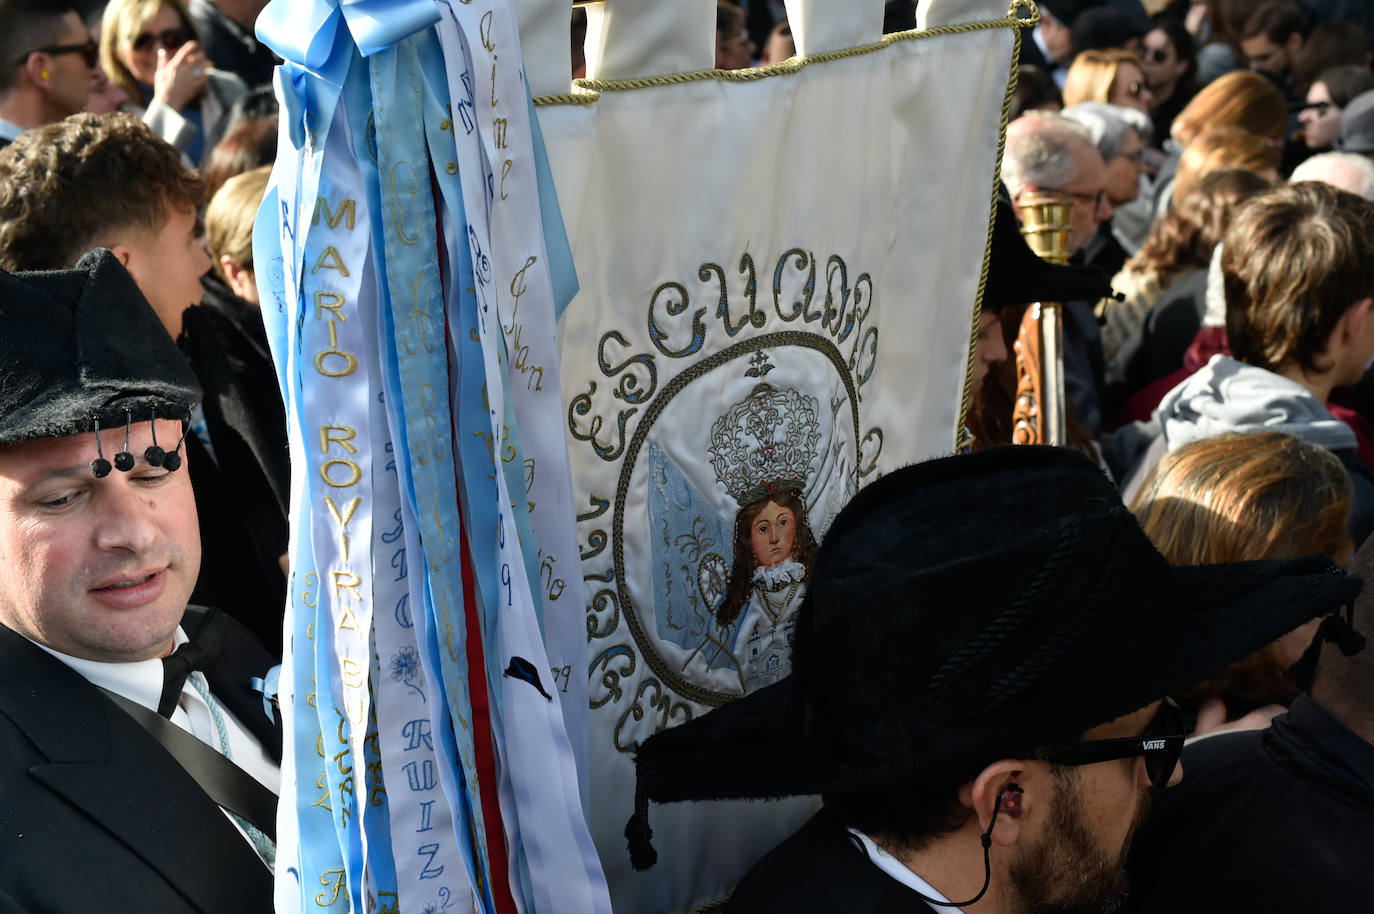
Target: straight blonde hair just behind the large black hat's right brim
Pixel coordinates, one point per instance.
(1243, 497)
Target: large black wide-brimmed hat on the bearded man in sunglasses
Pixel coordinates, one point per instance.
(971, 610)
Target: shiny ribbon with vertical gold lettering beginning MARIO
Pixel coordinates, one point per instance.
(335, 358)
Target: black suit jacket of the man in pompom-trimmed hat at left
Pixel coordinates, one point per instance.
(97, 817)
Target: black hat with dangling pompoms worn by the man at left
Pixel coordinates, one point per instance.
(80, 347)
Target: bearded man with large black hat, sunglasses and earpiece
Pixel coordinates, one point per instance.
(978, 693)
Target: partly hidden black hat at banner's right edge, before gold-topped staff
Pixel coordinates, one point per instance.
(1017, 277)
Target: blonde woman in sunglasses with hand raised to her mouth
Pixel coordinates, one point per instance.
(150, 49)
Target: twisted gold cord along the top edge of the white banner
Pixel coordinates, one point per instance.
(587, 91)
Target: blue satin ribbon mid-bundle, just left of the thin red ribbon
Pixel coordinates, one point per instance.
(417, 315)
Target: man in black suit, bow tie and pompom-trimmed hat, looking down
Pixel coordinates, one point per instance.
(108, 678)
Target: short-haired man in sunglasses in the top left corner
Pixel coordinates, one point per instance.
(47, 65)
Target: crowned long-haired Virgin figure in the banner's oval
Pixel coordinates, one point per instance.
(763, 453)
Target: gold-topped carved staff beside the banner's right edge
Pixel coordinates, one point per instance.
(1039, 413)
